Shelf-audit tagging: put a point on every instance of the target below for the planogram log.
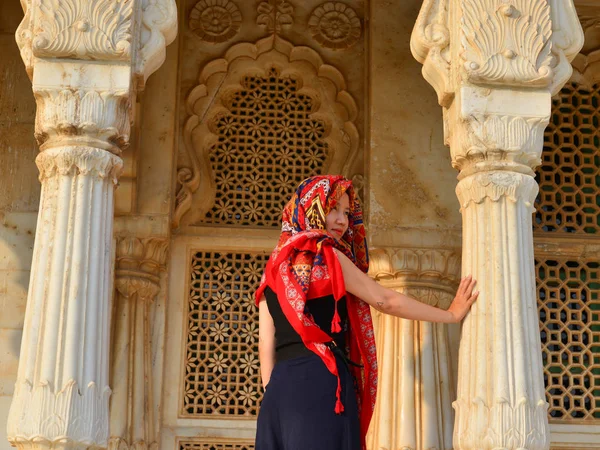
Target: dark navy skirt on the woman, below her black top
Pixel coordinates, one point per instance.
(298, 408)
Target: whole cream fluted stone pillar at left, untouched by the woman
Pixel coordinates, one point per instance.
(86, 60)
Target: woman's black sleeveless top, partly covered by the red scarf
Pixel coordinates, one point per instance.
(288, 343)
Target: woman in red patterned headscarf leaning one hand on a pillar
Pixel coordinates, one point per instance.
(316, 341)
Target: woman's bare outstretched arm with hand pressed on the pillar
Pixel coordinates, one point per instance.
(391, 302)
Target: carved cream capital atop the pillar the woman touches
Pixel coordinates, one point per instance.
(494, 66)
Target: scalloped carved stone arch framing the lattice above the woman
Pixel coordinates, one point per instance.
(221, 79)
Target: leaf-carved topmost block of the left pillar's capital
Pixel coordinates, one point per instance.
(98, 30)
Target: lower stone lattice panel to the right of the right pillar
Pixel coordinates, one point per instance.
(569, 309)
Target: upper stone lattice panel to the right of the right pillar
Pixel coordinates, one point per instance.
(569, 178)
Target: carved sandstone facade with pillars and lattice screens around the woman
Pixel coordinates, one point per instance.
(158, 320)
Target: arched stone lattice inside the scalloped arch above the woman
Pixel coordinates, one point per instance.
(267, 144)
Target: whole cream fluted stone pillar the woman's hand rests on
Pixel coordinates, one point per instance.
(495, 65)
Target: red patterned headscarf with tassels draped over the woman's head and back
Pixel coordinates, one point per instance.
(304, 266)
